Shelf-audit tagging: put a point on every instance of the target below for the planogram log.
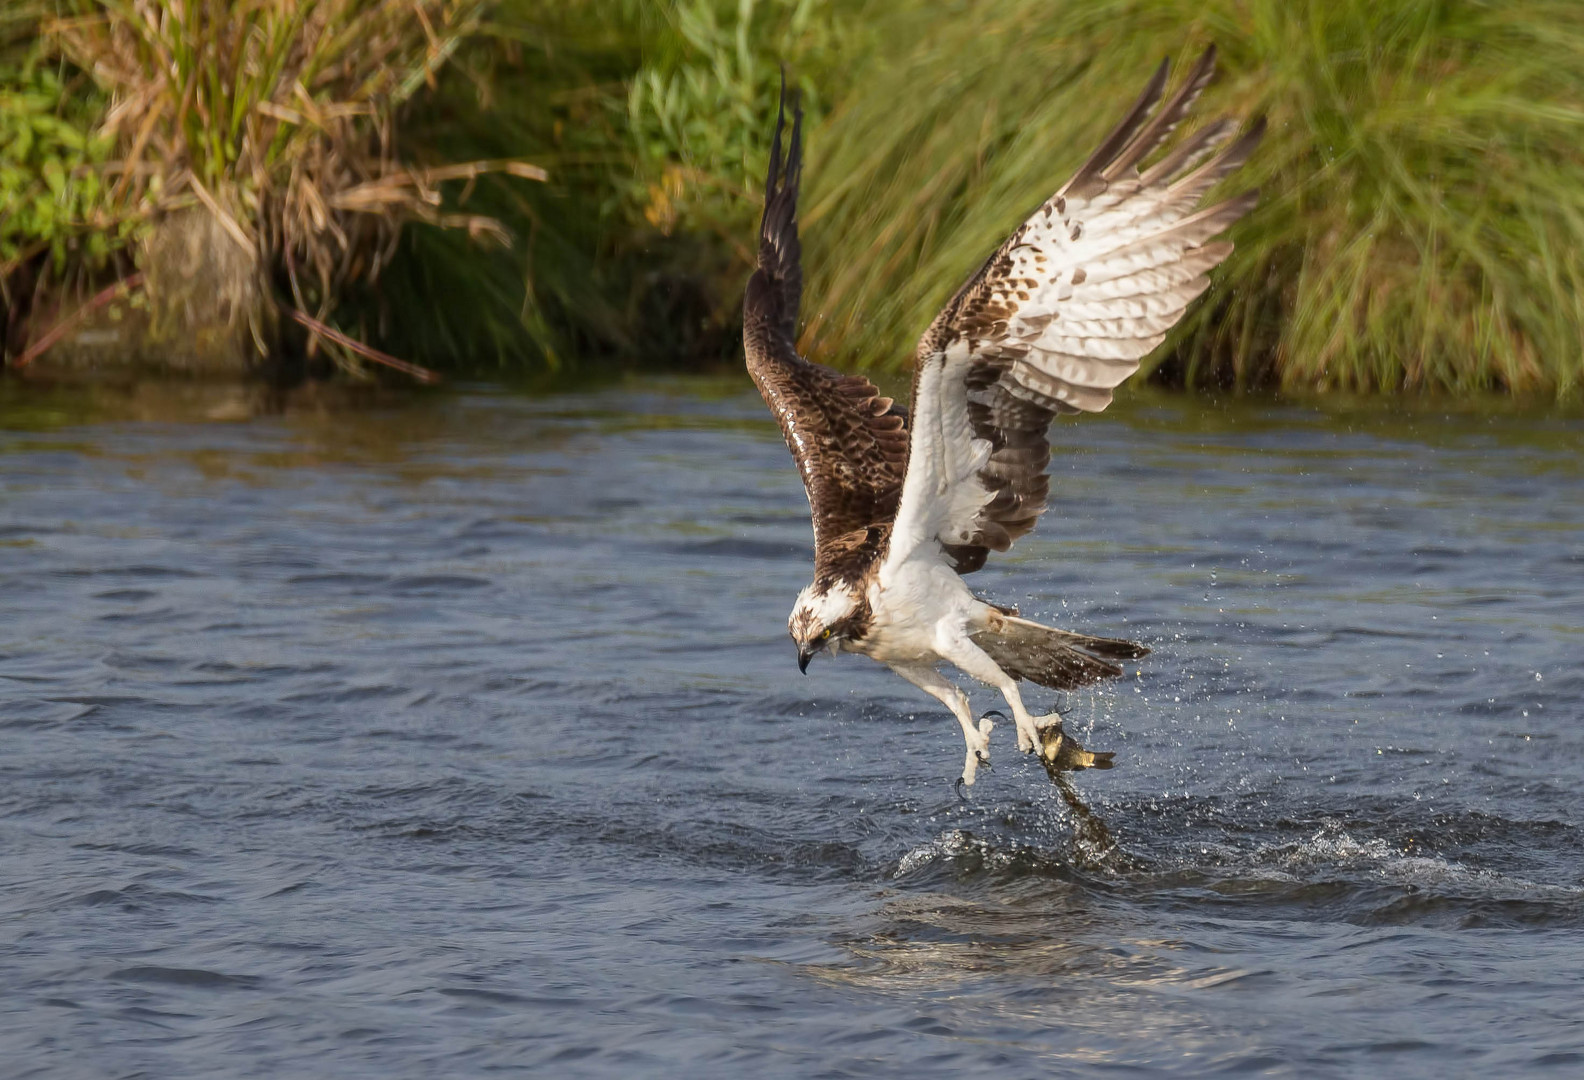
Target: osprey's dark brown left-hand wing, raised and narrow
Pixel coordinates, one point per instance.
(848, 441)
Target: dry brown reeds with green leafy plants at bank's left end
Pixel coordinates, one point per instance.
(248, 145)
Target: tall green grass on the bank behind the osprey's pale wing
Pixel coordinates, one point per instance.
(1423, 216)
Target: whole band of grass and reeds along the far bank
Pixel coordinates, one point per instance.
(1422, 226)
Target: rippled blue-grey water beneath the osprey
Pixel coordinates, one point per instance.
(462, 734)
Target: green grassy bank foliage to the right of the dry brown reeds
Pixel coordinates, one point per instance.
(1422, 224)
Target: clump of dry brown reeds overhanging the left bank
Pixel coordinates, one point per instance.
(256, 140)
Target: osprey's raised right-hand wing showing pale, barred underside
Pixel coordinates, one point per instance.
(1057, 318)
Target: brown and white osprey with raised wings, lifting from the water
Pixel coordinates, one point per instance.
(908, 501)
